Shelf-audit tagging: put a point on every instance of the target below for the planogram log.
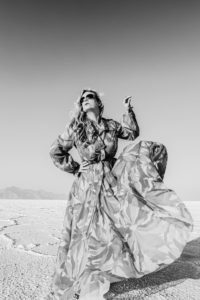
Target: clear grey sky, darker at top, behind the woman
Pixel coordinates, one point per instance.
(51, 50)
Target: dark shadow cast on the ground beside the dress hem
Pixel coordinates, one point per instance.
(187, 266)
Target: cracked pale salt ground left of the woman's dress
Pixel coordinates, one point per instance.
(29, 238)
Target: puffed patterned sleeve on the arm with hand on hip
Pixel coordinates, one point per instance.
(59, 152)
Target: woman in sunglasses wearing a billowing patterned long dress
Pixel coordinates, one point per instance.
(120, 221)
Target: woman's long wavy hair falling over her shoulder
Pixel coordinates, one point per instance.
(79, 120)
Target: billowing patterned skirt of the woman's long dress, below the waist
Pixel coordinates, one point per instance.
(120, 222)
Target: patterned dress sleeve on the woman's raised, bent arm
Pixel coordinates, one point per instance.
(128, 129)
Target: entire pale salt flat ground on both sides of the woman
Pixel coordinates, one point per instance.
(29, 237)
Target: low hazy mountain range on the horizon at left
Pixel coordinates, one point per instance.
(18, 193)
